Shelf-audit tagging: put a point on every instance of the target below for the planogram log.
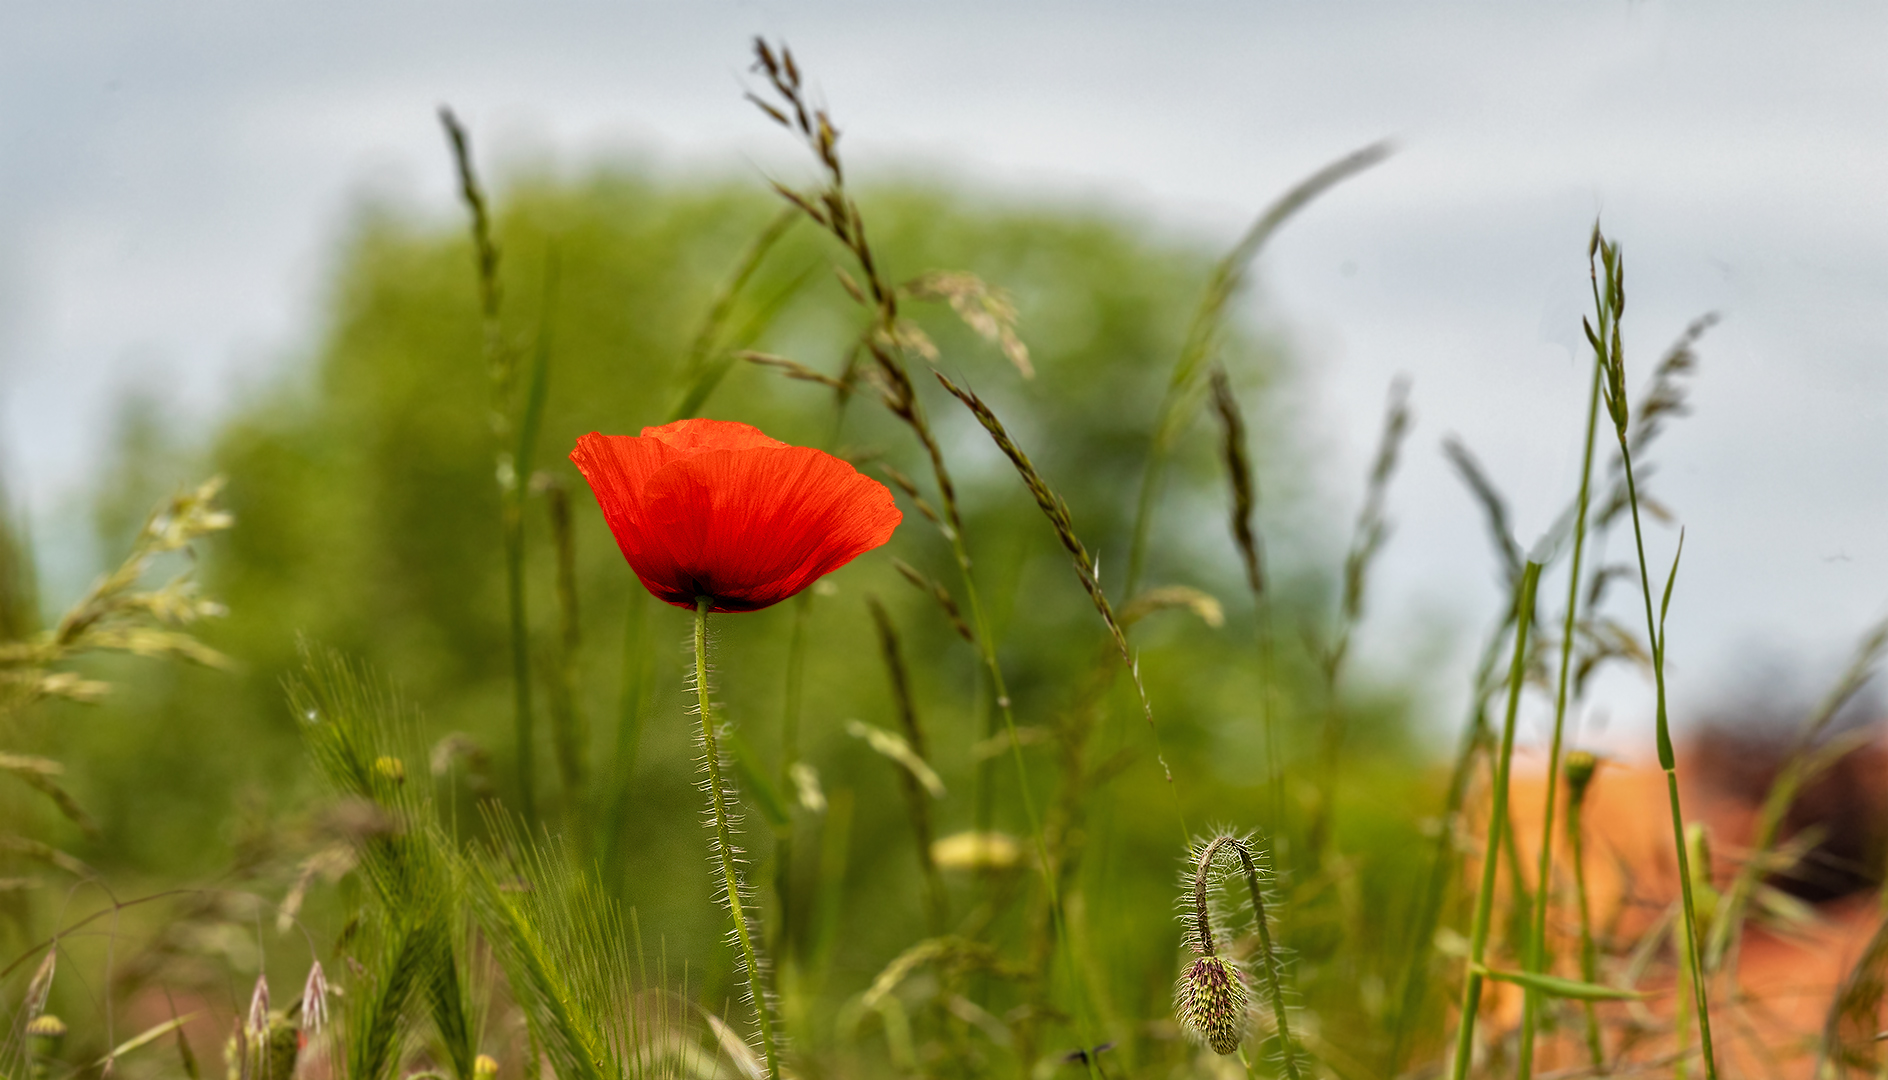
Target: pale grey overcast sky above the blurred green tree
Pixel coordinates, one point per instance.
(173, 180)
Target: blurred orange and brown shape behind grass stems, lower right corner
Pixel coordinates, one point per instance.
(1802, 936)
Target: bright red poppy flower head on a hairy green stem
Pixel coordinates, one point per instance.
(716, 509)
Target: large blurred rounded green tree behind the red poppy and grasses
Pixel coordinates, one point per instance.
(367, 520)
